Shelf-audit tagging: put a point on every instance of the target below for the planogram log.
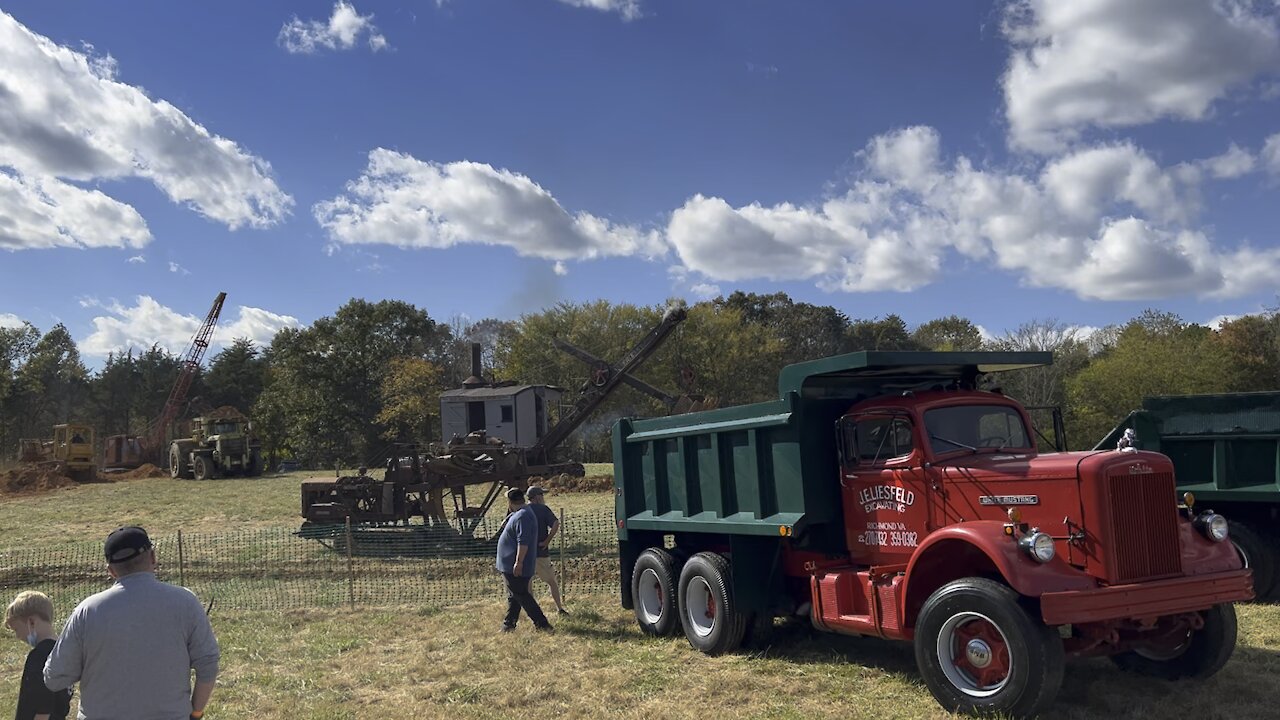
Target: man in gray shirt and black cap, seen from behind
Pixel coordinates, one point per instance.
(132, 648)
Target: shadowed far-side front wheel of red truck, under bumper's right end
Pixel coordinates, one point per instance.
(1197, 654)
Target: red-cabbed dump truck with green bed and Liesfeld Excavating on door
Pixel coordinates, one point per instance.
(884, 495)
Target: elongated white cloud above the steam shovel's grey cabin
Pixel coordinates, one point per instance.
(409, 203)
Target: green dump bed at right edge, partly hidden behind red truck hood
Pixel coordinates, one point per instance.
(1226, 448)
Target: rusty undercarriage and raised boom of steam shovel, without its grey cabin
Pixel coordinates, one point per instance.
(452, 486)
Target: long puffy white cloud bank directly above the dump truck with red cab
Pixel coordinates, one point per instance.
(1105, 224)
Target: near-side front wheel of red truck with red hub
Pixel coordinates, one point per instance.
(980, 651)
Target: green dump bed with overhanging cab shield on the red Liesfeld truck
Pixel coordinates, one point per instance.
(771, 468)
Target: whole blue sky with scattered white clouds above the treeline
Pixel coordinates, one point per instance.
(1003, 161)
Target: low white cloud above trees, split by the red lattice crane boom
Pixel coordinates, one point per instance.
(149, 323)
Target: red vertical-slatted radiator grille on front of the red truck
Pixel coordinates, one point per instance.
(1145, 527)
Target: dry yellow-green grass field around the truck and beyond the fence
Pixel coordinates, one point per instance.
(431, 663)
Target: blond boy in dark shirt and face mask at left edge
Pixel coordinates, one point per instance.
(31, 618)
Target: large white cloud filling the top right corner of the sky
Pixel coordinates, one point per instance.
(1118, 63)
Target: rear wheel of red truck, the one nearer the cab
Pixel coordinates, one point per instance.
(712, 621)
